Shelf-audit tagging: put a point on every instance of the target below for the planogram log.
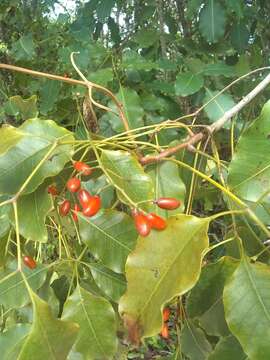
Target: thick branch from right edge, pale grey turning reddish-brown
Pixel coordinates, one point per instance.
(194, 139)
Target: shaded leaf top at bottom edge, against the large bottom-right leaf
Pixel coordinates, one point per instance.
(228, 348)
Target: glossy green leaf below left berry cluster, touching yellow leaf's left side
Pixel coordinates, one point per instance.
(110, 236)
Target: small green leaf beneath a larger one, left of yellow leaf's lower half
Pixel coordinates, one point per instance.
(113, 285)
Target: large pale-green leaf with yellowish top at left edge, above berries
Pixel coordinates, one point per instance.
(36, 139)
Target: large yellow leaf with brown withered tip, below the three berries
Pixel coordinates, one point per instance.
(163, 265)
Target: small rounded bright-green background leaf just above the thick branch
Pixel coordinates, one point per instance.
(188, 83)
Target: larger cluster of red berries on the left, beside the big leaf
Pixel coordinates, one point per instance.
(89, 204)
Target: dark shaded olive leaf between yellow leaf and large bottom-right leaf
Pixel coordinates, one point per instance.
(205, 300)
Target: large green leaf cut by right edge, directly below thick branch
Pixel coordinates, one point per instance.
(249, 172)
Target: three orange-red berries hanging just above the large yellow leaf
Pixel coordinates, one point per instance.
(145, 222)
